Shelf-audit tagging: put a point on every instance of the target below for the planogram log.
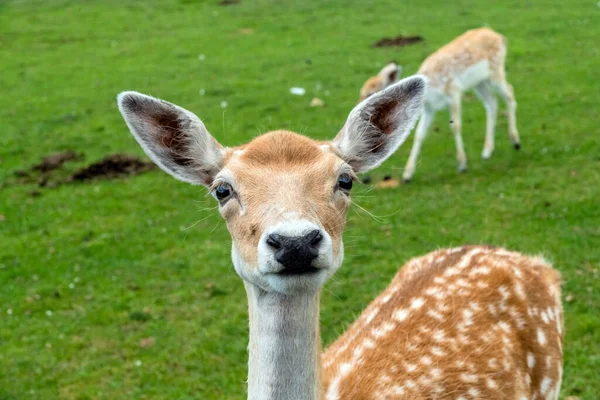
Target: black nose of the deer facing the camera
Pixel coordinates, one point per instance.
(296, 253)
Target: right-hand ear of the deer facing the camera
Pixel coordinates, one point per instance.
(380, 124)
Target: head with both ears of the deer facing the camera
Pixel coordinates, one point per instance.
(284, 196)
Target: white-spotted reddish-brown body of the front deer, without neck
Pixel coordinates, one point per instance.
(465, 323)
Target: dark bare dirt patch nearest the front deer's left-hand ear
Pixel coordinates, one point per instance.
(112, 166)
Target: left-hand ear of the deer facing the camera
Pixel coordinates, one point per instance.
(174, 138)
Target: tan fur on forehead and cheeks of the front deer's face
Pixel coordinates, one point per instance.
(288, 168)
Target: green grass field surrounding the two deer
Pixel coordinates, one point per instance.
(124, 289)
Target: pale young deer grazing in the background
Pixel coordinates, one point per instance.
(475, 60)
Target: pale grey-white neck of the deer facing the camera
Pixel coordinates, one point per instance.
(285, 346)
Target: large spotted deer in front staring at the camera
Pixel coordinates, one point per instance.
(460, 323)
